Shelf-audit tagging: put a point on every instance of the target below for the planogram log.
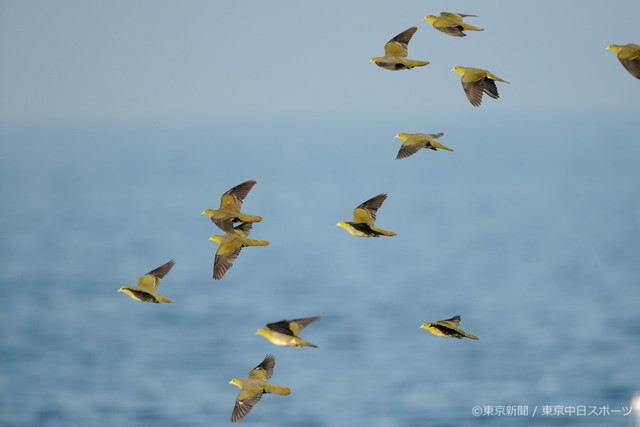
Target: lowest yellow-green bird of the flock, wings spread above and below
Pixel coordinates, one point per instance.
(254, 387)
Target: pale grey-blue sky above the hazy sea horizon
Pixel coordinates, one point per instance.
(69, 61)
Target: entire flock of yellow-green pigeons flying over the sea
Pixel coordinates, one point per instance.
(475, 82)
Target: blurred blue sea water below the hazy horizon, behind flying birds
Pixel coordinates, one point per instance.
(531, 234)
